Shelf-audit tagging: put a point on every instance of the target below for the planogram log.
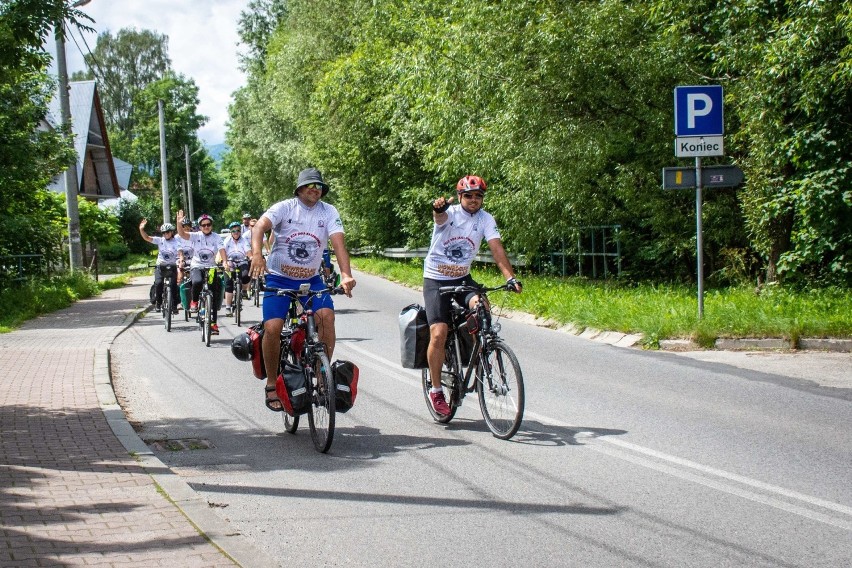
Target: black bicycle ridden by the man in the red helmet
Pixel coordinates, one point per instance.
(493, 370)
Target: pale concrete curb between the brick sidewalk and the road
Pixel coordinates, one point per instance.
(194, 507)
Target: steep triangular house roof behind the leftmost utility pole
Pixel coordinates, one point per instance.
(96, 175)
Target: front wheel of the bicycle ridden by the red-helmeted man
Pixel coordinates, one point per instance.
(500, 386)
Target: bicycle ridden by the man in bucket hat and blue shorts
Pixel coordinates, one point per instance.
(301, 346)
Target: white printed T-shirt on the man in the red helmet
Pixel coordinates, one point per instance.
(456, 242)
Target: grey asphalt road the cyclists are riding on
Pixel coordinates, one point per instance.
(625, 457)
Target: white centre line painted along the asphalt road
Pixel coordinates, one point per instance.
(692, 471)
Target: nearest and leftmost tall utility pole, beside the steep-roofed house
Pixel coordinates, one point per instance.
(75, 247)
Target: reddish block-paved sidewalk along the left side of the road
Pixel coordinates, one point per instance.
(70, 493)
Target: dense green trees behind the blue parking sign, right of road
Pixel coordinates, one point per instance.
(565, 107)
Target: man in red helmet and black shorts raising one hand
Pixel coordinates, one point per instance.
(456, 236)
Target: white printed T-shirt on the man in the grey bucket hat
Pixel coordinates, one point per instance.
(301, 234)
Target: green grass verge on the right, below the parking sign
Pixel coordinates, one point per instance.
(658, 311)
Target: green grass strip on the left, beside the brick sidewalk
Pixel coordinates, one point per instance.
(42, 296)
